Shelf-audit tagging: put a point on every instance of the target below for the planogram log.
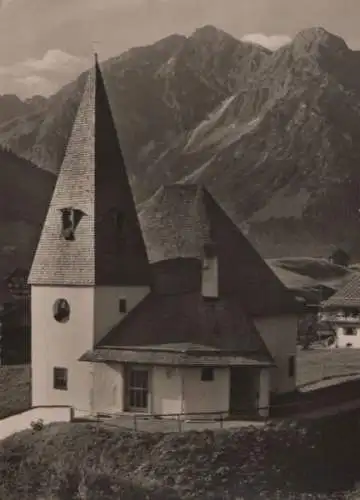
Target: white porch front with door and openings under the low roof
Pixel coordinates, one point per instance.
(186, 392)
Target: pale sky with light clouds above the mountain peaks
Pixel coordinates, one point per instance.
(47, 43)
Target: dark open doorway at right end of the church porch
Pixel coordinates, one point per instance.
(244, 391)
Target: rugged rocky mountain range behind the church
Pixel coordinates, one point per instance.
(275, 136)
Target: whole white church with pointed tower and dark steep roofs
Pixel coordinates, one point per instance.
(191, 320)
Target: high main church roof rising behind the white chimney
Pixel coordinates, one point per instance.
(177, 224)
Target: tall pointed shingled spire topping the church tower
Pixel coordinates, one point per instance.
(92, 235)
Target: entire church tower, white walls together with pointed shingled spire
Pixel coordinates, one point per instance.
(90, 267)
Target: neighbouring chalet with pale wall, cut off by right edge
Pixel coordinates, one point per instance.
(342, 312)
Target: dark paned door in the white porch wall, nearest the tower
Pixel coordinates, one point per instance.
(137, 392)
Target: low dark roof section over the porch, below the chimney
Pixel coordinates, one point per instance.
(188, 324)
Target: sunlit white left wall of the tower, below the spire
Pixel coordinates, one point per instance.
(60, 345)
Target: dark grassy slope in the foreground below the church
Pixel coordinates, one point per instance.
(83, 460)
